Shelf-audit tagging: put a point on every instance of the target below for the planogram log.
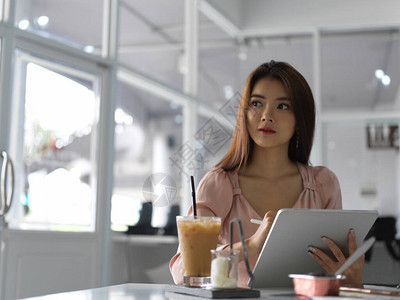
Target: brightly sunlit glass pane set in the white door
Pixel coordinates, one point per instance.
(55, 125)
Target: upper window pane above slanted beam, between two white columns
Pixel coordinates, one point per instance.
(151, 39)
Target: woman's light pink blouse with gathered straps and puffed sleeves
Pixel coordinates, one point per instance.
(219, 195)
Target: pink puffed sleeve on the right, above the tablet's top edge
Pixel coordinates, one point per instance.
(329, 188)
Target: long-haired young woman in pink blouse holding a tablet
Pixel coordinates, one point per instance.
(267, 168)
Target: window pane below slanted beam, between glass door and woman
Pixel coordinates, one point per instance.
(147, 166)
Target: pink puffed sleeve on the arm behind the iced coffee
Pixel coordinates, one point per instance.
(214, 198)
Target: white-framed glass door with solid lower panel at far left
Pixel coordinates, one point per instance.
(52, 225)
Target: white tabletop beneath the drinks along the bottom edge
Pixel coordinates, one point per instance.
(136, 291)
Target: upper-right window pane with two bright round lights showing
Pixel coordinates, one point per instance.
(349, 79)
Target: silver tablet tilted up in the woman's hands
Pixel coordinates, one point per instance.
(285, 249)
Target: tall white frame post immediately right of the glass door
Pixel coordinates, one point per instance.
(107, 127)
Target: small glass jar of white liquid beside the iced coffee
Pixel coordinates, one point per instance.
(224, 268)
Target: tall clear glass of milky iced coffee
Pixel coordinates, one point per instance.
(197, 236)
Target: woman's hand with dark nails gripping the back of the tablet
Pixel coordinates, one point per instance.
(353, 273)
